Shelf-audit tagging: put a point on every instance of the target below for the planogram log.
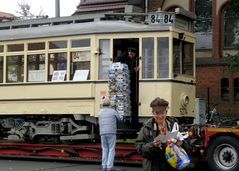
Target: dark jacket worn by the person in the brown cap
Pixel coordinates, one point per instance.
(153, 157)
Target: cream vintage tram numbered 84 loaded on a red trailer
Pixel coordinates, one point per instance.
(54, 72)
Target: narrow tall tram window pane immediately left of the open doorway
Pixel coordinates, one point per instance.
(104, 59)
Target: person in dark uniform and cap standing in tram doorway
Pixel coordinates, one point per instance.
(130, 58)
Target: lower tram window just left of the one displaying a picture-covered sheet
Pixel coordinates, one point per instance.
(36, 68)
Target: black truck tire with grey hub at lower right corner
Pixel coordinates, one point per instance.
(223, 154)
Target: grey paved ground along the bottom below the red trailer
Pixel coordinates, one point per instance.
(14, 164)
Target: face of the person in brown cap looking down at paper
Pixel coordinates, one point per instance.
(159, 114)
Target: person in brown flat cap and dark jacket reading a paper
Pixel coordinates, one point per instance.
(152, 150)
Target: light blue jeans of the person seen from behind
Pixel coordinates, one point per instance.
(108, 142)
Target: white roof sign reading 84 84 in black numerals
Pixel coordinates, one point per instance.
(162, 18)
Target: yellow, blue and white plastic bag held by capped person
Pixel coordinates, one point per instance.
(177, 156)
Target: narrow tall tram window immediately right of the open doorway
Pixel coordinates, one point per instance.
(148, 58)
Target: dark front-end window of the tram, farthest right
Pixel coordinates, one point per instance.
(183, 50)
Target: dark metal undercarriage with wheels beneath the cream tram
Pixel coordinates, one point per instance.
(45, 129)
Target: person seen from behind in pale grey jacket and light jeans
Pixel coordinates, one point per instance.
(108, 127)
